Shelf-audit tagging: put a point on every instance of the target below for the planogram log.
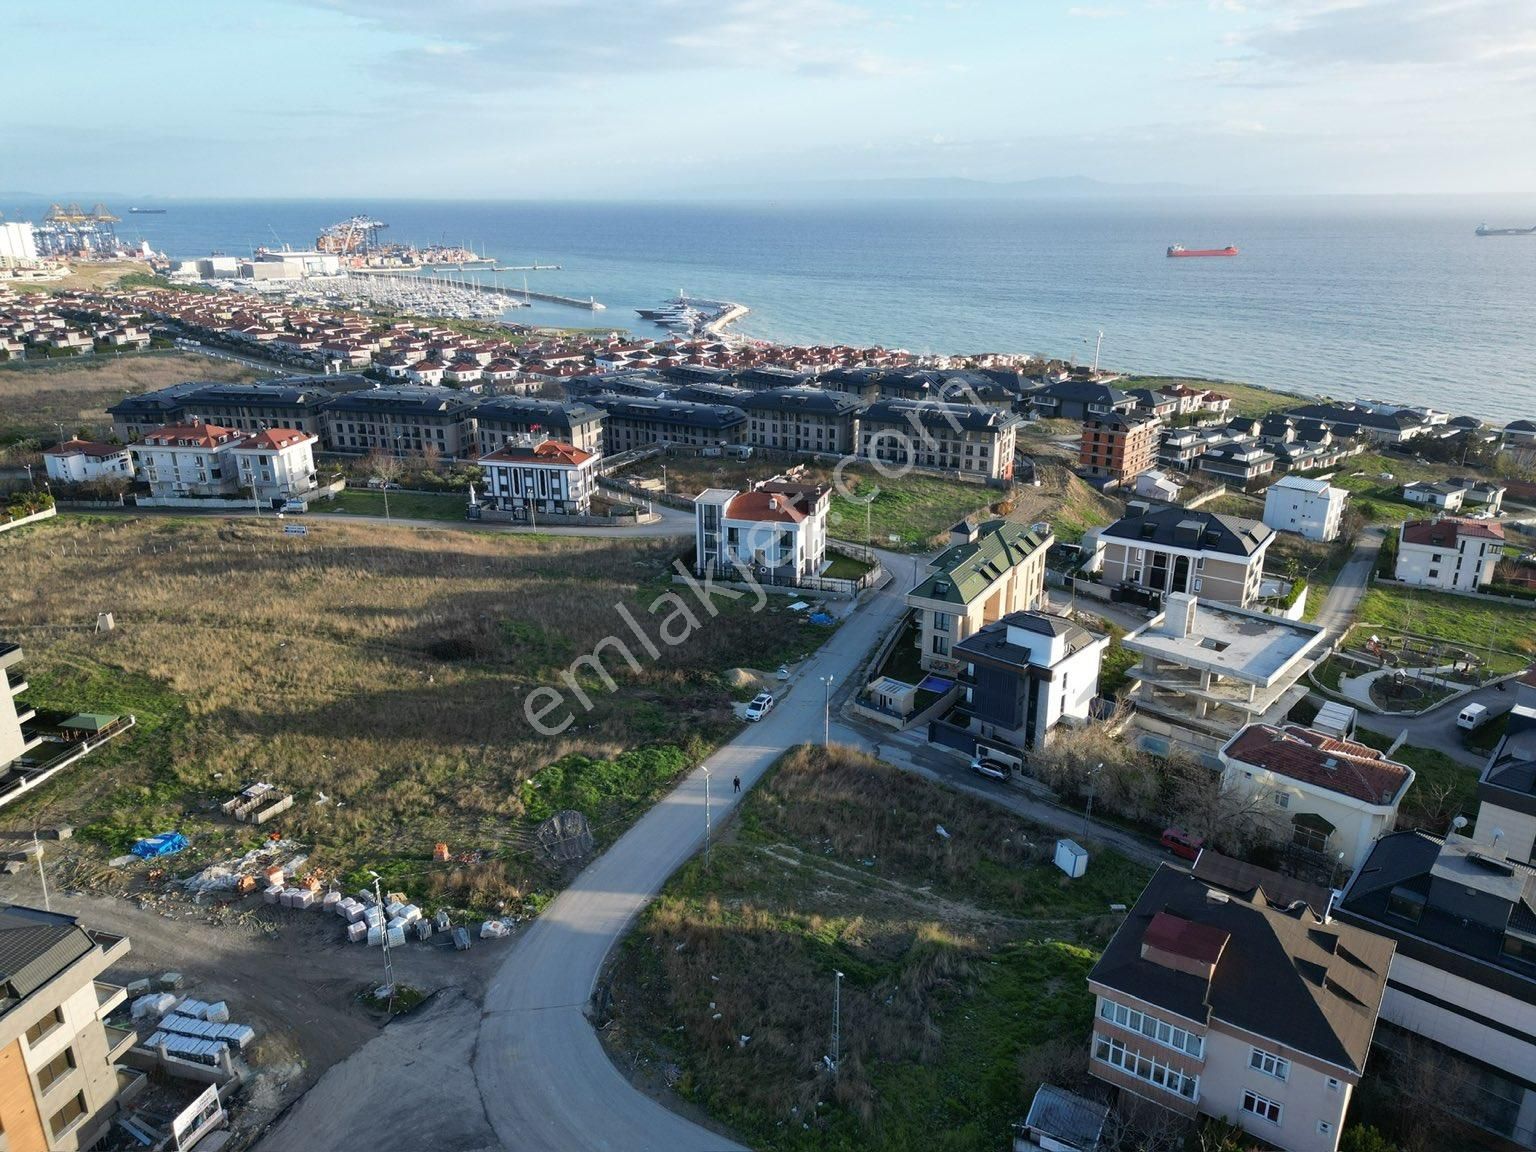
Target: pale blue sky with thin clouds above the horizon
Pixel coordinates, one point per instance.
(620, 99)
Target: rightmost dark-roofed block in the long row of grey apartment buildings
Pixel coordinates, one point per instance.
(970, 440)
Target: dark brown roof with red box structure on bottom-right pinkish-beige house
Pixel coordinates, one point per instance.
(1282, 975)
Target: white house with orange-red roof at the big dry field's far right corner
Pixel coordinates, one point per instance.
(776, 532)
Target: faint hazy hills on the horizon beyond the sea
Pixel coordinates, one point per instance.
(958, 188)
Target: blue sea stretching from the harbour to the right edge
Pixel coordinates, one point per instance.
(1345, 297)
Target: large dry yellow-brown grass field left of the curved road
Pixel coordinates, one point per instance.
(379, 672)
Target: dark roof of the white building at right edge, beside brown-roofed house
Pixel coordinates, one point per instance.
(1448, 936)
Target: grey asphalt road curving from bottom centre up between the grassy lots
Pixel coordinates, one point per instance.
(543, 1074)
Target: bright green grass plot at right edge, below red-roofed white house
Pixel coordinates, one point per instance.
(1505, 635)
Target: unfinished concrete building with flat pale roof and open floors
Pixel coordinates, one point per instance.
(1208, 670)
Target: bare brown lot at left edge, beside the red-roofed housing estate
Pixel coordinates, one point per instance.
(38, 397)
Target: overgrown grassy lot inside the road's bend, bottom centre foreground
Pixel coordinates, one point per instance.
(964, 961)
